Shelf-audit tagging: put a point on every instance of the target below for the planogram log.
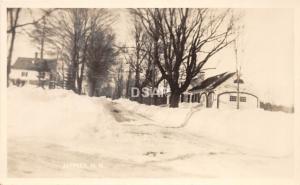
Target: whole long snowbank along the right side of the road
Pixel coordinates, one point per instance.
(270, 133)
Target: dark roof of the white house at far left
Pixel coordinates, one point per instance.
(33, 64)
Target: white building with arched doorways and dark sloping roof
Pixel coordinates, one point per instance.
(220, 91)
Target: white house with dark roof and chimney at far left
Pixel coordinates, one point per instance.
(33, 71)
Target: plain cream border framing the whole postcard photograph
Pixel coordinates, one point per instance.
(141, 4)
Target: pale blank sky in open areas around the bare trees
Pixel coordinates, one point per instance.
(266, 52)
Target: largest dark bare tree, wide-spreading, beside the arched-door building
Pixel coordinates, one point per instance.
(189, 38)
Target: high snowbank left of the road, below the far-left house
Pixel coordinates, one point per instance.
(54, 114)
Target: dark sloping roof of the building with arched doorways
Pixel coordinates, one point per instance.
(212, 82)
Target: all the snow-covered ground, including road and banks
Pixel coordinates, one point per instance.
(55, 133)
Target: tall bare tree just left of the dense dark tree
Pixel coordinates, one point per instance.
(75, 31)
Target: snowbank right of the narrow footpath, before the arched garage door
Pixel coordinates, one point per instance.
(257, 130)
